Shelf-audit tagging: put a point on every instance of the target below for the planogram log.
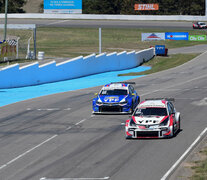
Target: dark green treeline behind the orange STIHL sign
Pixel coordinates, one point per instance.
(166, 7)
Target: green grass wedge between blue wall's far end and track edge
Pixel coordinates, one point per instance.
(160, 63)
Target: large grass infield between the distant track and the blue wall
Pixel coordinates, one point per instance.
(72, 42)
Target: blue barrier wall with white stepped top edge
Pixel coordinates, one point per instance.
(33, 74)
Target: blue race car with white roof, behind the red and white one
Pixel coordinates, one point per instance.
(119, 97)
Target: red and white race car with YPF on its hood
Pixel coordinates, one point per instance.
(153, 118)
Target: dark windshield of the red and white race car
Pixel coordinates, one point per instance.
(151, 112)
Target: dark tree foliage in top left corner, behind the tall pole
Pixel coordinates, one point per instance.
(14, 6)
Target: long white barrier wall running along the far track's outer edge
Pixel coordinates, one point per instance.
(106, 17)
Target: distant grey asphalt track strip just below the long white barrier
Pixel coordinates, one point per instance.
(103, 23)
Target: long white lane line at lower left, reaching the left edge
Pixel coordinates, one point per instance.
(25, 153)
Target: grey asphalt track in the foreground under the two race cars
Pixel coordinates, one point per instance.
(57, 136)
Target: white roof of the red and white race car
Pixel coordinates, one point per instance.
(153, 103)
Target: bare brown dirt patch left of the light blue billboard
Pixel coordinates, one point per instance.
(32, 6)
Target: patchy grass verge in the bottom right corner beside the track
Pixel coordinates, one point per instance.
(200, 168)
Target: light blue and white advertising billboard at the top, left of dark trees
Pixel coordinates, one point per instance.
(63, 6)
